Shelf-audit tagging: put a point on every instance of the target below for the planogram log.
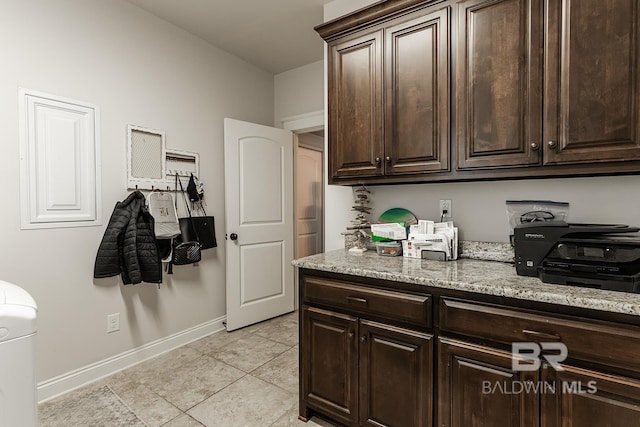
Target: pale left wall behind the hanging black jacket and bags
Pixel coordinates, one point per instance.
(138, 70)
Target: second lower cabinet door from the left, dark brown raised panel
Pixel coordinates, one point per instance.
(395, 376)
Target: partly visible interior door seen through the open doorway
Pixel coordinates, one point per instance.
(309, 202)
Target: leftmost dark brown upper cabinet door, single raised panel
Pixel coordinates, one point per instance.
(355, 106)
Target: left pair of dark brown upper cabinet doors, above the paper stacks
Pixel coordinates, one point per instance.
(389, 94)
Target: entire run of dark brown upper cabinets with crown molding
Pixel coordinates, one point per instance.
(447, 90)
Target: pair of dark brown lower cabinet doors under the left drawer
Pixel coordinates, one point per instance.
(364, 373)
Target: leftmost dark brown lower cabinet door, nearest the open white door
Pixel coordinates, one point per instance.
(330, 363)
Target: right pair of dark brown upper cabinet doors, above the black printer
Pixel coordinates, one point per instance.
(583, 53)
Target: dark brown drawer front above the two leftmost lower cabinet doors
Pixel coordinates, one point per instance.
(401, 306)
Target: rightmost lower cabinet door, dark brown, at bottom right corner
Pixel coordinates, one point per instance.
(588, 398)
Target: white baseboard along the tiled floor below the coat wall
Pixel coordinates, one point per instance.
(61, 384)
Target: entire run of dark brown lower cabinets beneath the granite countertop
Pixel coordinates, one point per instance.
(375, 353)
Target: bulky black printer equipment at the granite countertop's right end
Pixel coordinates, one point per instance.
(593, 255)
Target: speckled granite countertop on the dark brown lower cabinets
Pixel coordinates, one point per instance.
(472, 275)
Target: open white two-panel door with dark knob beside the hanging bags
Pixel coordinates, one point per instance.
(258, 221)
